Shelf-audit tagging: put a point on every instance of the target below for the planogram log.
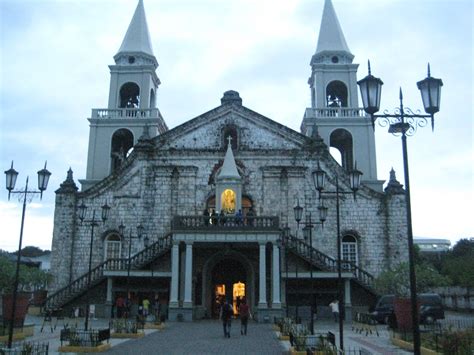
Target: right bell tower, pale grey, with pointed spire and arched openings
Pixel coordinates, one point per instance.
(335, 113)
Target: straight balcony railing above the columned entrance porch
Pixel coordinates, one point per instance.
(203, 223)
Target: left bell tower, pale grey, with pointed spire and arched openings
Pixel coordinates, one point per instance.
(132, 103)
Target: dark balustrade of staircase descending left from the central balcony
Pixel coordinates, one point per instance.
(82, 284)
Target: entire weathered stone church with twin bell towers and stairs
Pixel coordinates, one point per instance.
(205, 211)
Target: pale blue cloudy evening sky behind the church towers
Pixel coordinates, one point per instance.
(54, 58)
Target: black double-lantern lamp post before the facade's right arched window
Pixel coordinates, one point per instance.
(319, 177)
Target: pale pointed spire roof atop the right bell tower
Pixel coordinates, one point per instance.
(331, 37)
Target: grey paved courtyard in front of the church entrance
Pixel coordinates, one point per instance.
(206, 337)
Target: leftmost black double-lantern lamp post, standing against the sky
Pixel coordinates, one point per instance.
(24, 196)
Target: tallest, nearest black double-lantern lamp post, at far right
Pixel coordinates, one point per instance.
(404, 122)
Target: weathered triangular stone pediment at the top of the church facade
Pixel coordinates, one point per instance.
(255, 131)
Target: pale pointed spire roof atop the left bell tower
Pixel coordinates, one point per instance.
(137, 38)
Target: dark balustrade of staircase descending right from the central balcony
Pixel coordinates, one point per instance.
(326, 263)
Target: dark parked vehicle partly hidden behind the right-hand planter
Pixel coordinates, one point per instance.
(431, 308)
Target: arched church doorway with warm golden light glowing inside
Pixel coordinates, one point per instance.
(228, 281)
